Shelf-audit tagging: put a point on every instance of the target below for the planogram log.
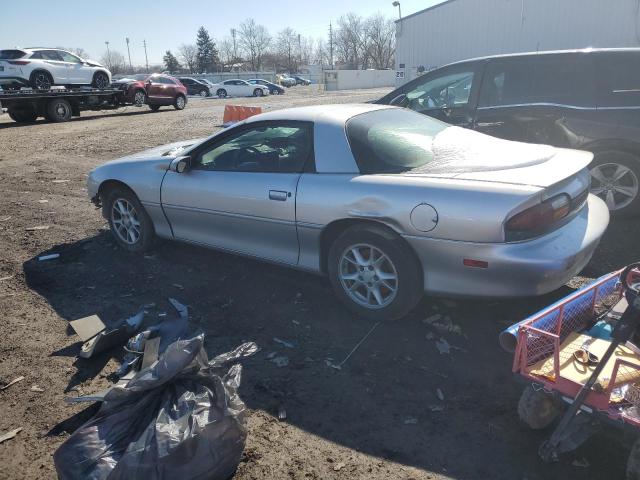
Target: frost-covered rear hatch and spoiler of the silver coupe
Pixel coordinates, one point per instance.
(468, 155)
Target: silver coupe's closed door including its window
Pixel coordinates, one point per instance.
(240, 192)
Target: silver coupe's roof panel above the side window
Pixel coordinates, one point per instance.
(332, 114)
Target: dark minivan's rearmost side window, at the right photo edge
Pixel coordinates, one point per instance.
(618, 82)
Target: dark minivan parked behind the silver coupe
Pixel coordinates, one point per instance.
(584, 99)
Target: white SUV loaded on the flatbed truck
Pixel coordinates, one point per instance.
(41, 68)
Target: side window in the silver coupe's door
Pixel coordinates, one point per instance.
(275, 148)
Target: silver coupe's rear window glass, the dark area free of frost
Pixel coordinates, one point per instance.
(392, 140)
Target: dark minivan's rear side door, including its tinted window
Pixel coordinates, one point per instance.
(539, 99)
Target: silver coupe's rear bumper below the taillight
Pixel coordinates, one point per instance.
(528, 268)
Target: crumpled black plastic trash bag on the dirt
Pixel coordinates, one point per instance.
(179, 418)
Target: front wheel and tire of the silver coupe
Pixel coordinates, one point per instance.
(129, 222)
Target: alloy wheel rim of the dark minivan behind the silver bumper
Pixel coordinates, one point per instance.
(615, 183)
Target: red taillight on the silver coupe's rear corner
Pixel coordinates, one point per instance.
(539, 219)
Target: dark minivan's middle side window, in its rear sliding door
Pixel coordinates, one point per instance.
(556, 79)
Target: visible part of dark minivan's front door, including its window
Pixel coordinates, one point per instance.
(448, 94)
